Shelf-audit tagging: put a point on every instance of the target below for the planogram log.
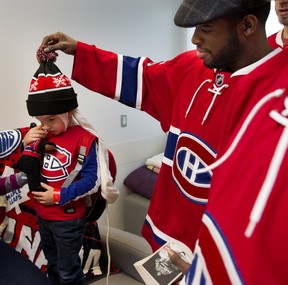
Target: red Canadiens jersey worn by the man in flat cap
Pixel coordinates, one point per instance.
(188, 100)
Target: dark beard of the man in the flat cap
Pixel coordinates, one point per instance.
(227, 58)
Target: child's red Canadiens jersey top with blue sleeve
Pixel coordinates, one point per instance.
(57, 165)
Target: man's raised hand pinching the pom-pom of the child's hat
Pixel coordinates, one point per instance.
(59, 41)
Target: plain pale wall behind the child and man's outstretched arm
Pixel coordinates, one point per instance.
(128, 26)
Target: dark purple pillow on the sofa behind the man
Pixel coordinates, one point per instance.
(142, 181)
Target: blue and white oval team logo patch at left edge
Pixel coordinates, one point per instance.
(9, 141)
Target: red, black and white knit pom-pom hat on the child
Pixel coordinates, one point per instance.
(50, 90)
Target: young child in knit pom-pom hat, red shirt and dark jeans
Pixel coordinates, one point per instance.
(61, 208)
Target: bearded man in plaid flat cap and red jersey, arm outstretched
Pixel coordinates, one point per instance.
(187, 95)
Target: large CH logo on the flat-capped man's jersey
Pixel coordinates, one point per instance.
(187, 160)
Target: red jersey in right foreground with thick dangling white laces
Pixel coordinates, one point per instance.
(244, 232)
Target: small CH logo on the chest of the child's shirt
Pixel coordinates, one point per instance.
(55, 165)
